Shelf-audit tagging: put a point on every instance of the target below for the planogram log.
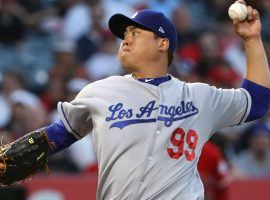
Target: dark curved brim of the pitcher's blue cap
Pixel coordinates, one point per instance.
(119, 22)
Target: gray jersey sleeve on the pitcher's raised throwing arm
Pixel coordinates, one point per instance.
(229, 107)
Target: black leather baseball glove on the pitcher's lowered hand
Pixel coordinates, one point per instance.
(24, 157)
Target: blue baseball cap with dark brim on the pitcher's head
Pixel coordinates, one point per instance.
(147, 19)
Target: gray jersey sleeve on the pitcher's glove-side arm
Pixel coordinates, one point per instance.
(76, 115)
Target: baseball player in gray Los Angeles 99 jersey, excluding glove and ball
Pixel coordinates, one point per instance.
(148, 128)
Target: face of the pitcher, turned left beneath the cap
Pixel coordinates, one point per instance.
(138, 49)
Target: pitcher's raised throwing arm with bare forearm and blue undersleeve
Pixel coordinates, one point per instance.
(257, 77)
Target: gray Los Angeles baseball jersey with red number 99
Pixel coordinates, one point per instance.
(148, 138)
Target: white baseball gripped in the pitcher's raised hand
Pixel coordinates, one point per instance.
(238, 10)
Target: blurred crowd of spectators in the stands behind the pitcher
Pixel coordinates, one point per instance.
(51, 49)
